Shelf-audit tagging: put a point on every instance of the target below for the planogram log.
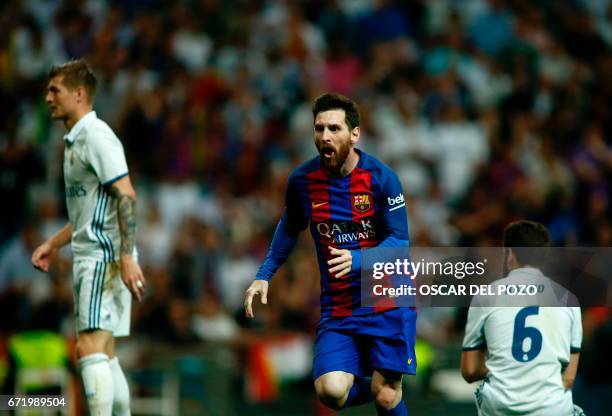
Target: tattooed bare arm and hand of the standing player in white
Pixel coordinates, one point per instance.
(124, 194)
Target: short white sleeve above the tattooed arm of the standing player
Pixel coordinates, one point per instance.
(105, 154)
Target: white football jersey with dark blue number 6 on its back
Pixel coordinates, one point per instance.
(527, 348)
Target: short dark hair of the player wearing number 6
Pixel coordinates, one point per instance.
(521, 235)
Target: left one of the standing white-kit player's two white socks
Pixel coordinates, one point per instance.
(98, 382)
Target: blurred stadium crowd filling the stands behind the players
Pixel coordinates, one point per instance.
(488, 110)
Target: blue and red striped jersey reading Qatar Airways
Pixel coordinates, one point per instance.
(364, 209)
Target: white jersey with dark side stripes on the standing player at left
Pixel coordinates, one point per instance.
(93, 160)
